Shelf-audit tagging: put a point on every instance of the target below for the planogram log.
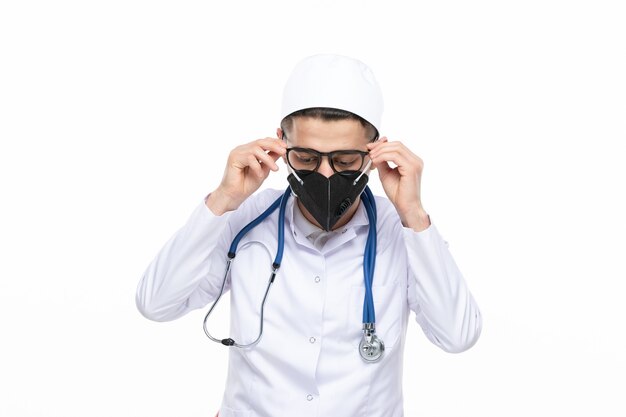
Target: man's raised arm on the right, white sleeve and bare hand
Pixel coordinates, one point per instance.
(437, 291)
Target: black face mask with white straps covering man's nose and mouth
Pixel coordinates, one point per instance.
(327, 199)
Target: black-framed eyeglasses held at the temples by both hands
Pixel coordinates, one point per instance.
(305, 159)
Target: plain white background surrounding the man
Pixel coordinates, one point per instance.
(115, 121)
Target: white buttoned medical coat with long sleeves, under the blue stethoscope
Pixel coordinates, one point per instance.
(307, 362)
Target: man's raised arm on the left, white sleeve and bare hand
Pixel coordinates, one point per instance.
(187, 273)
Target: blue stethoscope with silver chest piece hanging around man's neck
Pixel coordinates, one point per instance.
(371, 347)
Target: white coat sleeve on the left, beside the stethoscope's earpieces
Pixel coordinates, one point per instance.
(185, 274)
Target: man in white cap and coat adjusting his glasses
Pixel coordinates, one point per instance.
(335, 320)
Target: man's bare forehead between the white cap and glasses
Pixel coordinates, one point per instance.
(326, 136)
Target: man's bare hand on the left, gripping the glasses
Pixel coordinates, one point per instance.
(247, 167)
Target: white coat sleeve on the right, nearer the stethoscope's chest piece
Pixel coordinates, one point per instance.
(438, 293)
